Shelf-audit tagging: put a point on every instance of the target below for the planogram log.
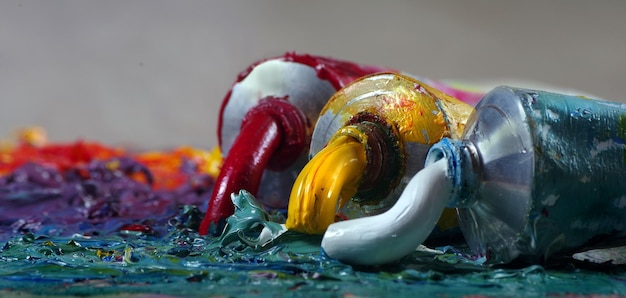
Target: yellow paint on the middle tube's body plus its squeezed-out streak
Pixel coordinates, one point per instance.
(419, 113)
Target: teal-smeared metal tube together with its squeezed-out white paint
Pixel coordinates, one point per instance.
(535, 174)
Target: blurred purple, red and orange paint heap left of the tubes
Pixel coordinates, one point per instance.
(61, 189)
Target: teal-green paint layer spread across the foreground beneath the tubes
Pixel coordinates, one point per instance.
(183, 264)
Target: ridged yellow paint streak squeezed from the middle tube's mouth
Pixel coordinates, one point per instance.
(332, 176)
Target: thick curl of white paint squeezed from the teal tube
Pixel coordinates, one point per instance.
(388, 237)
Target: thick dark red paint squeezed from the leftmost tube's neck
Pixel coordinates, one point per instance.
(273, 135)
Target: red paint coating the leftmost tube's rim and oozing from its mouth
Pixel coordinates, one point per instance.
(271, 139)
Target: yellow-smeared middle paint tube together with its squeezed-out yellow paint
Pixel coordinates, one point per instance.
(387, 122)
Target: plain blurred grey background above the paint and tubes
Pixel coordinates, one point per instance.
(152, 74)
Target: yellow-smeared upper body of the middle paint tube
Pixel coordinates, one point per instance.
(421, 113)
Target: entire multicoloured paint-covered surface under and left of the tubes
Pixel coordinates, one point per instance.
(86, 219)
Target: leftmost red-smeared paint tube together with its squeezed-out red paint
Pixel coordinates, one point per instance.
(265, 124)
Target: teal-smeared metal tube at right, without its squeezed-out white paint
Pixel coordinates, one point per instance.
(537, 173)
